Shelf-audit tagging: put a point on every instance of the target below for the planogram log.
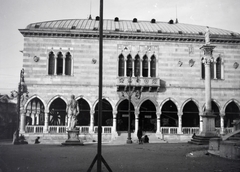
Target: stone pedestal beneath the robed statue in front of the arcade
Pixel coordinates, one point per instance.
(73, 139)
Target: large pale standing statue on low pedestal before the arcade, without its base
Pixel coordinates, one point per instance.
(72, 110)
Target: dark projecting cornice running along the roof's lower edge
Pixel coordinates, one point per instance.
(169, 37)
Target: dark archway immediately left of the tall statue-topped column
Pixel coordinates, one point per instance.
(190, 116)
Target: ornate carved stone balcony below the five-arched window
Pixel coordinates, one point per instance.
(141, 82)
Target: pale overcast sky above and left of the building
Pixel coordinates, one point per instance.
(17, 14)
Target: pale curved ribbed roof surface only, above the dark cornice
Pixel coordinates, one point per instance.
(152, 26)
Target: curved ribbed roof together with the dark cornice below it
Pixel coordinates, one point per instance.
(128, 29)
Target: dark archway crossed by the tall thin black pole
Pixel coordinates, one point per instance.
(107, 116)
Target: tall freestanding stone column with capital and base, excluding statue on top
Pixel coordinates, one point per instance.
(208, 118)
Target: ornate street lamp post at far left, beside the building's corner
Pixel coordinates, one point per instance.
(22, 88)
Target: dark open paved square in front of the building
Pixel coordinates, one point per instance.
(152, 157)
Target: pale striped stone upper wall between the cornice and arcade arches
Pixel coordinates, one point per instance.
(182, 82)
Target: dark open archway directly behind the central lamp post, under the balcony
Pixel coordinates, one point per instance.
(122, 116)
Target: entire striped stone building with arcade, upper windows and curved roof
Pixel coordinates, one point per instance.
(159, 64)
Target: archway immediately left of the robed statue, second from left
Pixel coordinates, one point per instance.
(57, 112)
